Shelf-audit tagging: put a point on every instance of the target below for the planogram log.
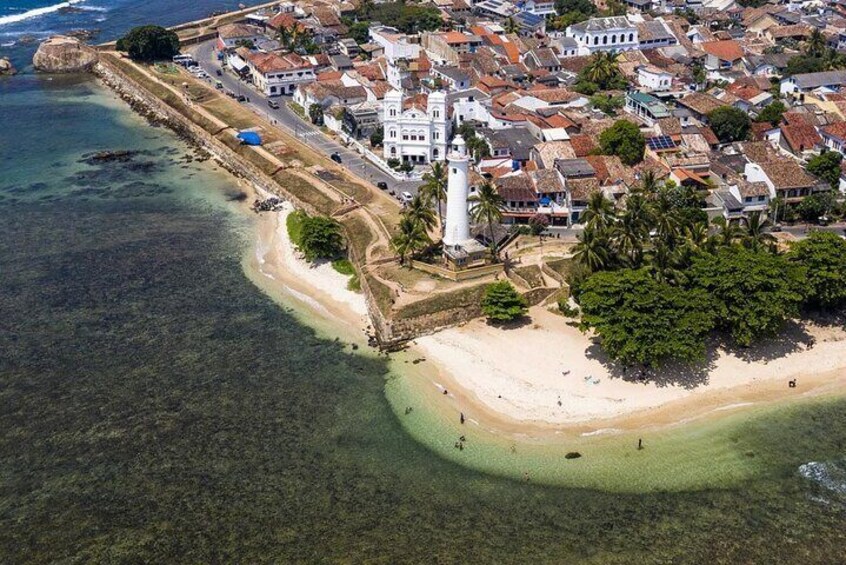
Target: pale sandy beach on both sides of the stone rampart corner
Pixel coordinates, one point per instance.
(546, 375)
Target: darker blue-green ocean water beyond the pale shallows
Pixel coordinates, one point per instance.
(158, 407)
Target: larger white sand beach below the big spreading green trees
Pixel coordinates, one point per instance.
(519, 373)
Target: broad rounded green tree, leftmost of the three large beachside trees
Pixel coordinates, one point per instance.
(643, 321)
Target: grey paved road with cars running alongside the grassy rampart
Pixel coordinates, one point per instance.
(286, 119)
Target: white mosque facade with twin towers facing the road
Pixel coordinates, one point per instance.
(415, 134)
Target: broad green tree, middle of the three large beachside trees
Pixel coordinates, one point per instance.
(753, 292)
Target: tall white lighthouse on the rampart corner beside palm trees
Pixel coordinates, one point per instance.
(460, 248)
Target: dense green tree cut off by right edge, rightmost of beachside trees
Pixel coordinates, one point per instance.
(823, 255)
